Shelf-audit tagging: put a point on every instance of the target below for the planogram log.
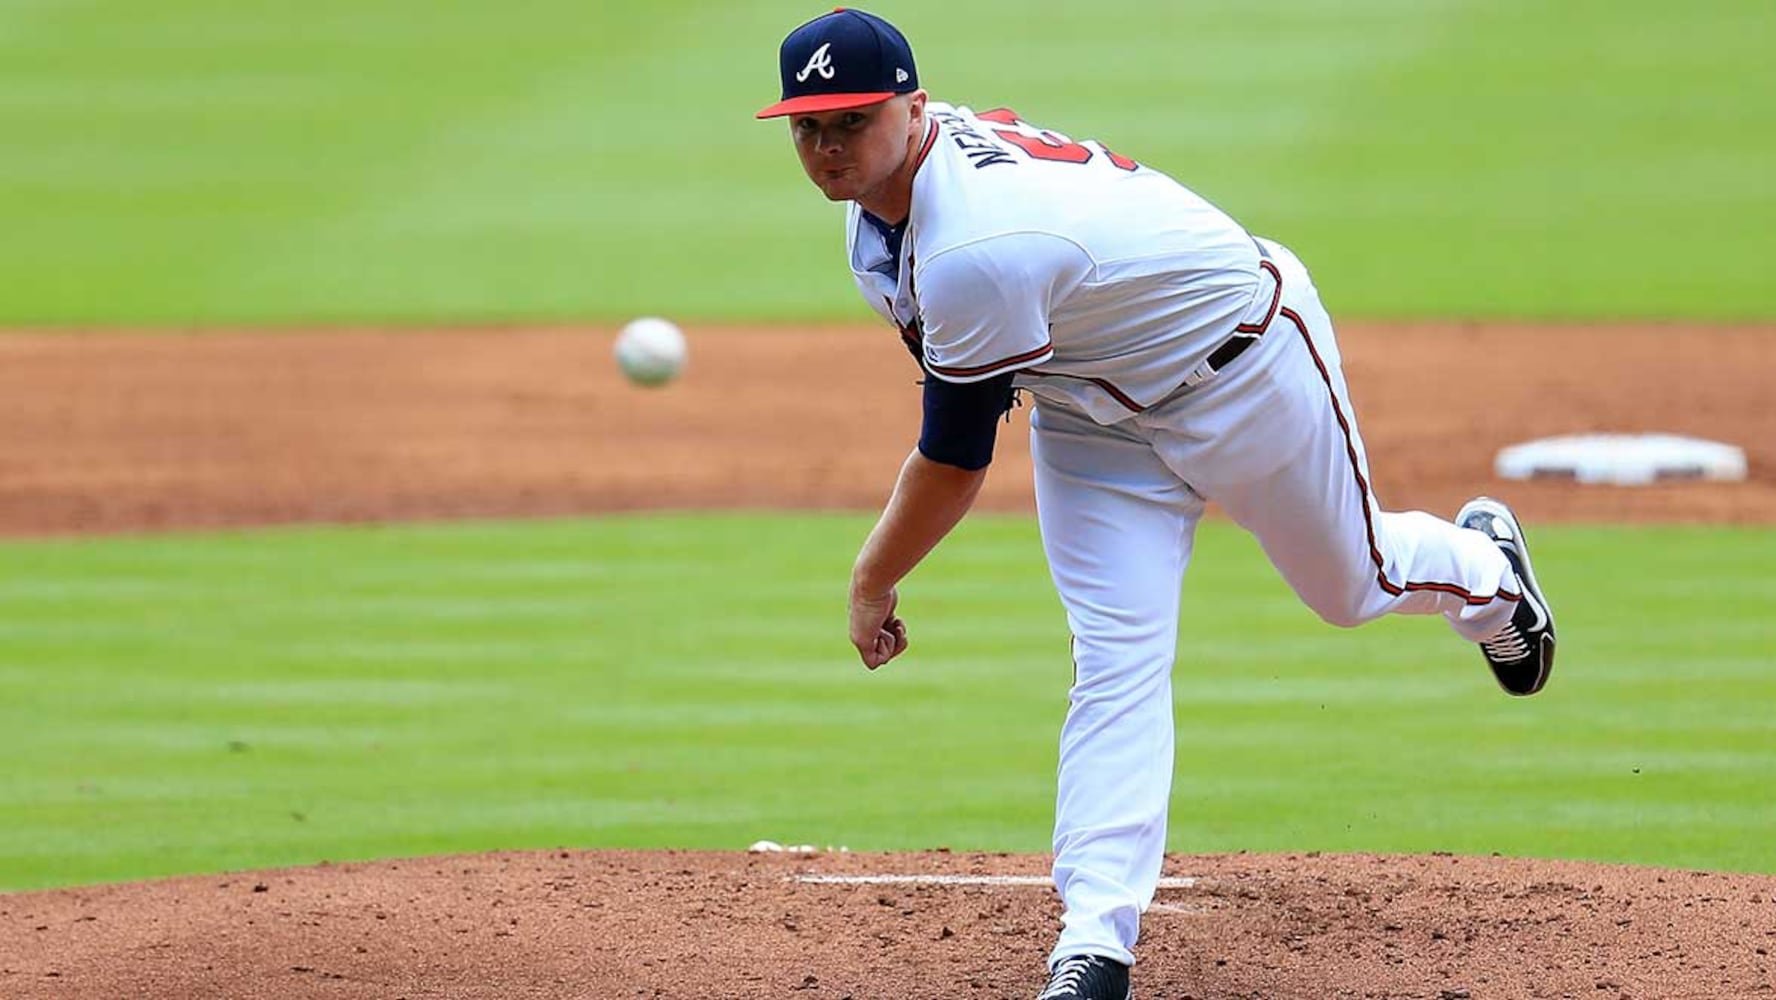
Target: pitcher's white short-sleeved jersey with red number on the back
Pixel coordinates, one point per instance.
(1097, 280)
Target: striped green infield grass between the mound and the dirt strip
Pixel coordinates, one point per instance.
(193, 704)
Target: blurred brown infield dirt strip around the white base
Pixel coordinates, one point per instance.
(123, 433)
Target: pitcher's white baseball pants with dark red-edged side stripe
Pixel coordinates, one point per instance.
(1276, 445)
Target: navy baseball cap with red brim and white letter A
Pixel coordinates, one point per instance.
(846, 60)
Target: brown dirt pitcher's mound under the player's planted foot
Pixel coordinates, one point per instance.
(706, 926)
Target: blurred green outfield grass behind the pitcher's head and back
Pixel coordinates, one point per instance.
(399, 161)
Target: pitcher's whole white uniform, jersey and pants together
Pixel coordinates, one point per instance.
(1116, 296)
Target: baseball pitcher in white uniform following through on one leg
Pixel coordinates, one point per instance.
(1173, 360)
